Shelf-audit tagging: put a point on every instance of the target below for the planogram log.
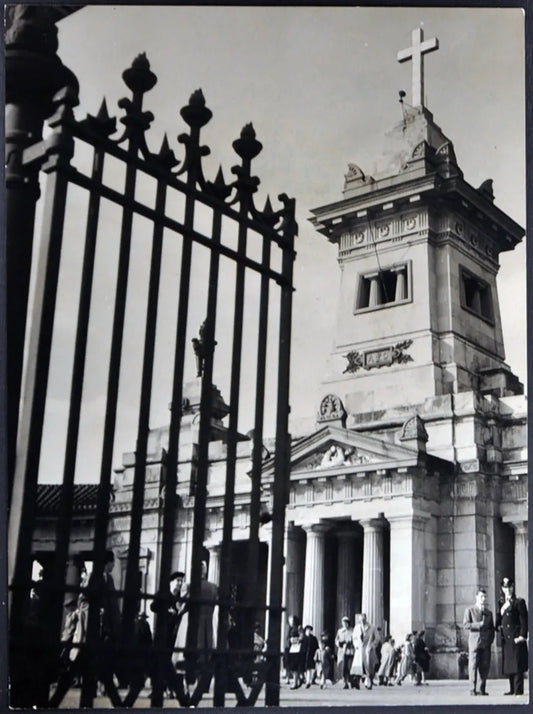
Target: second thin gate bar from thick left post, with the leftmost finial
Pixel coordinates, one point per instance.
(138, 88)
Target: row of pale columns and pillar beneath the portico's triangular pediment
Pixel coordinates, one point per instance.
(360, 586)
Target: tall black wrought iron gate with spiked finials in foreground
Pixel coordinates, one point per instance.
(274, 229)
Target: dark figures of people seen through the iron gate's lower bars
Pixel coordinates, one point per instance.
(170, 605)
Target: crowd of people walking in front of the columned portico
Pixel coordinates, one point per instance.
(357, 655)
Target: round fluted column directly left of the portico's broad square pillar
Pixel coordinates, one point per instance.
(372, 601)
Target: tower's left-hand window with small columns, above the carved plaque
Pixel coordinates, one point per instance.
(383, 288)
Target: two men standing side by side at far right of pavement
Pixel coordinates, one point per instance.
(512, 624)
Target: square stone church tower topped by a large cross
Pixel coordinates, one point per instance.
(418, 313)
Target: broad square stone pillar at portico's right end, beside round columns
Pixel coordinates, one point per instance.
(407, 573)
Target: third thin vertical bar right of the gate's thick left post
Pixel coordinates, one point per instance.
(130, 602)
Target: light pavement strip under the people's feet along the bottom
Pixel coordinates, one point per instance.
(435, 692)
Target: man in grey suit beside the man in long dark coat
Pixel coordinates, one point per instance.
(480, 625)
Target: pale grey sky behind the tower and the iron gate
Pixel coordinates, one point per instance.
(320, 86)
